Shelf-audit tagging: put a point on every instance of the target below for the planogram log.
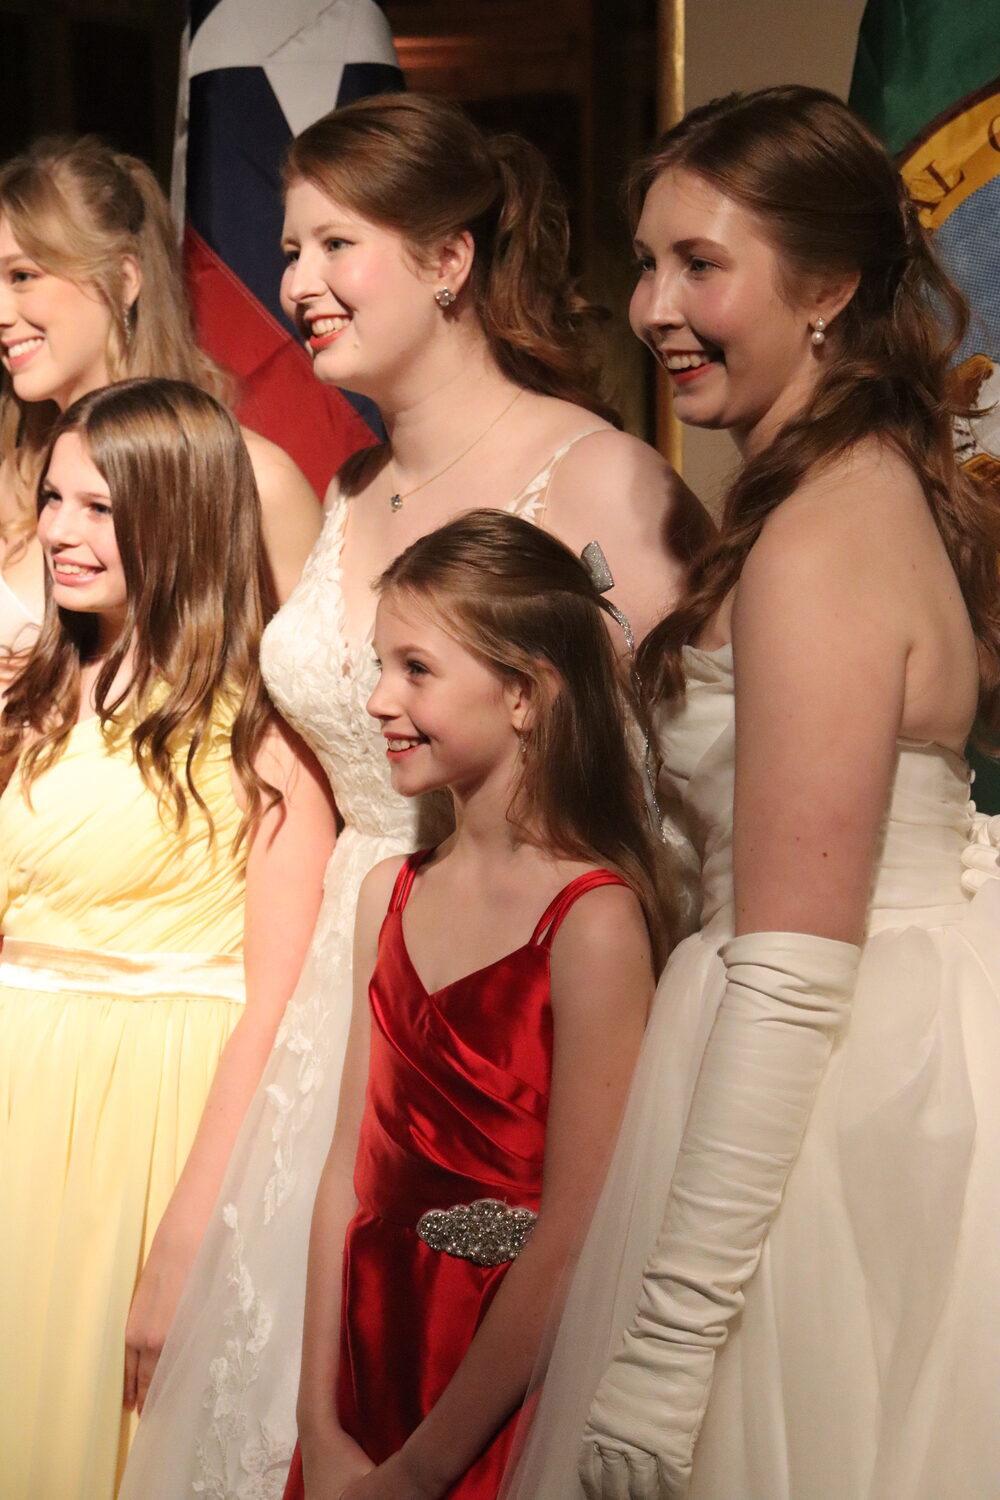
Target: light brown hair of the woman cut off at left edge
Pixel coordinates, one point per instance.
(77, 209)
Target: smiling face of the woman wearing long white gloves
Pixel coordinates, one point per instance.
(713, 307)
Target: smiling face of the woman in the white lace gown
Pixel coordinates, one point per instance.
(362, 305)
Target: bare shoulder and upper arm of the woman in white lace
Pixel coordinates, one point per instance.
(618, 491)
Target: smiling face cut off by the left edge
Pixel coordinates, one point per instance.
(53, 332)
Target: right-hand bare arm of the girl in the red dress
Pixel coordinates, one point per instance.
(602, 986)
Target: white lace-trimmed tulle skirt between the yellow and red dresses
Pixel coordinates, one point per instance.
(220, 1421)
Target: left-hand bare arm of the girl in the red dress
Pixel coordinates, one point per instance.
(331, 1459)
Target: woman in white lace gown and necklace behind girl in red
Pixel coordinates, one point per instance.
(427, 269)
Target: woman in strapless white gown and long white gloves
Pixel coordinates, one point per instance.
(791, 1291)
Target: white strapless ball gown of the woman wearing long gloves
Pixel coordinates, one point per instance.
(866, 1364)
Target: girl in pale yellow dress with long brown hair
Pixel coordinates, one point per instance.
(154, 811)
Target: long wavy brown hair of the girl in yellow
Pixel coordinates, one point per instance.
(188, 526)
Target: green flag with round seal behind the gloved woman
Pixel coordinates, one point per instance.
(927, 80)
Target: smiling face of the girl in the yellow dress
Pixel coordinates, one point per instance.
(77, 533)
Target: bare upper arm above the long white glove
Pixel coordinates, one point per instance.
(821, 649)
